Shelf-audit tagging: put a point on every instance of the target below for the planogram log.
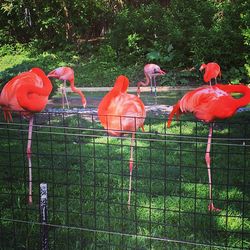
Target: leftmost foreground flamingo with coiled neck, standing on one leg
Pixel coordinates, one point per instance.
(27, 93)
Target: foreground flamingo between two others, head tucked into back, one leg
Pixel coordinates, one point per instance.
(119, 113)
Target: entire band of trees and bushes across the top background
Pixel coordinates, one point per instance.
(176, 34)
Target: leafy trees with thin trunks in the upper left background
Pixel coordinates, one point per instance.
(54, 22)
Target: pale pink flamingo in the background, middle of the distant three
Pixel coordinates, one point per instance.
(150, 71)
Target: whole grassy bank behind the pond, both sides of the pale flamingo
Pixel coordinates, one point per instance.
(94, 68)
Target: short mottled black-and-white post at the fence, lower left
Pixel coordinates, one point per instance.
(44, 215)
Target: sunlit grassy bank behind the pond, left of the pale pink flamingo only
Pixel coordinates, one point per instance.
(91, 70)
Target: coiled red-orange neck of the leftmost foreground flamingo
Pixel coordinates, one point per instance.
(31, 97)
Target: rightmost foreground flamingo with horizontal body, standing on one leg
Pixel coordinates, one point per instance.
(209, 103)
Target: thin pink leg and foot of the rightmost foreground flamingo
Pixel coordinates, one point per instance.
(211, 206)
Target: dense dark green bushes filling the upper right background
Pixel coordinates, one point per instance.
(185, 34)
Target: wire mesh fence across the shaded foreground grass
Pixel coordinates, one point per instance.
(87, 175)
